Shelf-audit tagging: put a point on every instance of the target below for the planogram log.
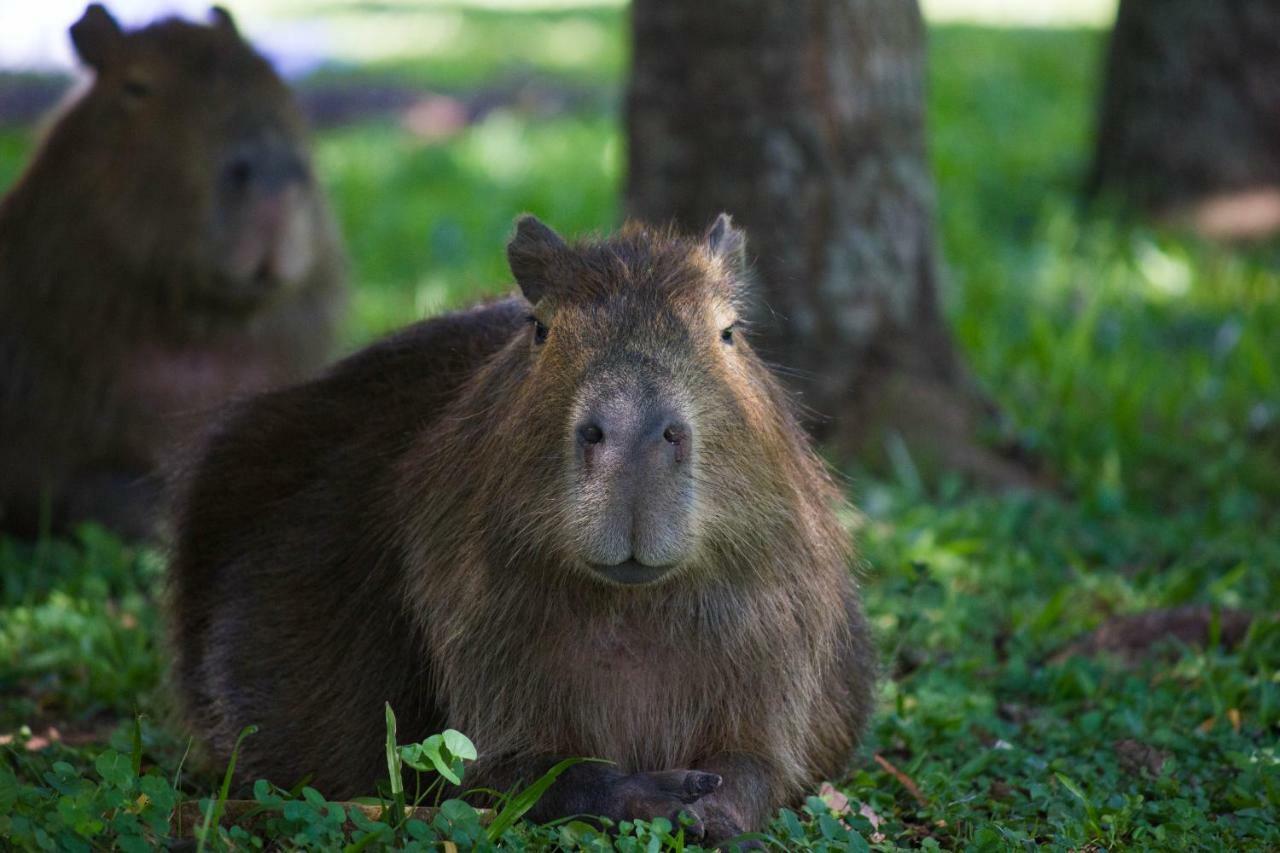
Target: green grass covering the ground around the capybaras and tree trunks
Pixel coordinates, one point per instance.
(1140, 364)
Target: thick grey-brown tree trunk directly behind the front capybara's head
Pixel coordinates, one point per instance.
(806, 121)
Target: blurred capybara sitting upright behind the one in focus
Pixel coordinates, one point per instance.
(167, 249)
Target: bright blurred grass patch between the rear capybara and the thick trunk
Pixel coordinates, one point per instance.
(427, 223)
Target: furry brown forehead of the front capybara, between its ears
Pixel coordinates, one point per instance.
(643, 272)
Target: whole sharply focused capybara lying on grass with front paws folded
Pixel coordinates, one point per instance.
(582, 522)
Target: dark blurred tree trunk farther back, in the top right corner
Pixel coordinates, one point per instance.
(1190, 120)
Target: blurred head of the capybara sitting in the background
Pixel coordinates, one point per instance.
(200, 148)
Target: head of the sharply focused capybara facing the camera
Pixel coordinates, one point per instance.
(646, 412)
